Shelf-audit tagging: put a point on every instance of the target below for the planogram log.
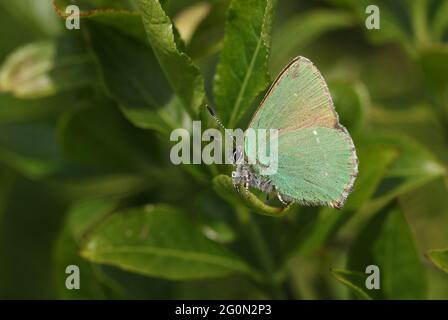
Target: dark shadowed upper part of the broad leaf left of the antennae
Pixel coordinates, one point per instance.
(129, 69)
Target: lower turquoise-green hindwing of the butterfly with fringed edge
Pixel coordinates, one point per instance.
(315, 166)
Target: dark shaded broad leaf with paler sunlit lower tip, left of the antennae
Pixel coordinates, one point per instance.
(133, 77)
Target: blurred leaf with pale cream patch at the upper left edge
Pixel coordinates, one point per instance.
(44, 68)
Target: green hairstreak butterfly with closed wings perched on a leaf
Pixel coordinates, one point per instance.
(317, 162)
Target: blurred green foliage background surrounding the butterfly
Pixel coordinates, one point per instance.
(85, 117)
